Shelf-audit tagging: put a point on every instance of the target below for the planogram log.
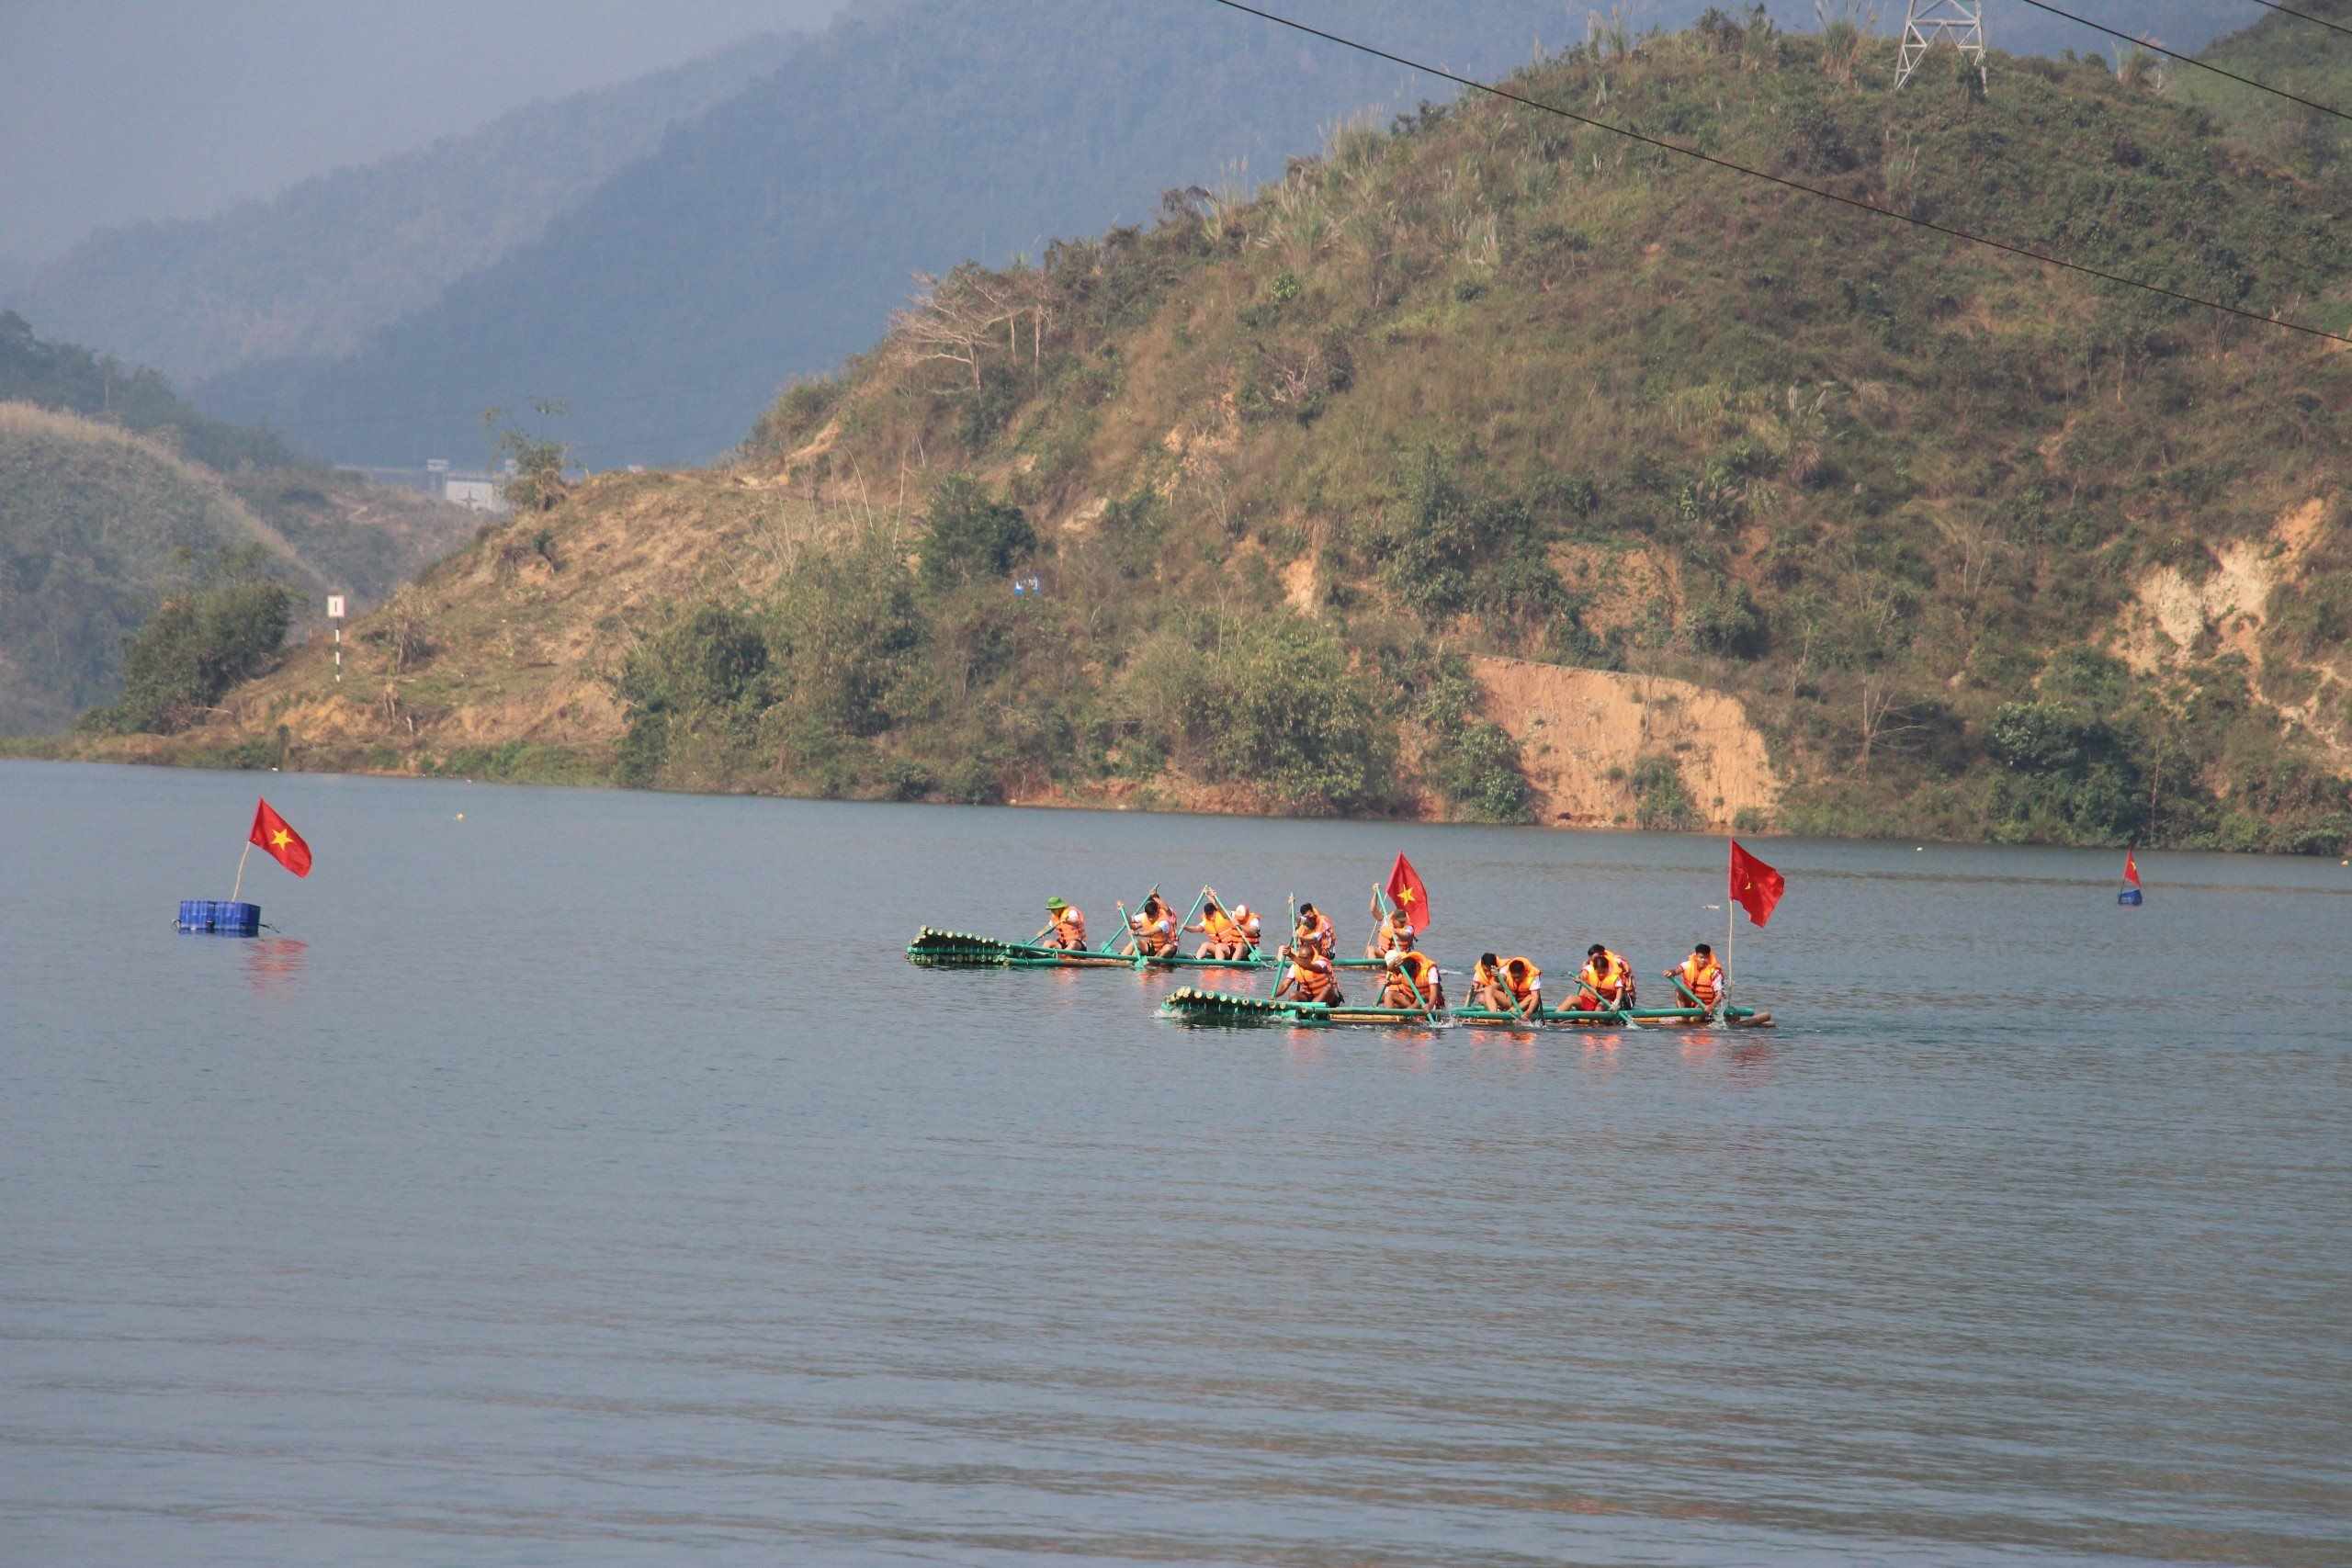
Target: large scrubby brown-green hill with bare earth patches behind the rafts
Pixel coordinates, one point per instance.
(1492, 467)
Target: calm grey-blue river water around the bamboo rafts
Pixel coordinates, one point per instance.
(587, 1179)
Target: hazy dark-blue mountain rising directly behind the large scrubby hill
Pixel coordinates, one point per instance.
(775, 236)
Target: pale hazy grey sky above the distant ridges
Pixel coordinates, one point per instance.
(145, 109)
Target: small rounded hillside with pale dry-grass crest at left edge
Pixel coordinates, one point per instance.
(98, 528)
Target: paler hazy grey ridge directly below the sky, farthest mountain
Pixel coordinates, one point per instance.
(314, 272)
